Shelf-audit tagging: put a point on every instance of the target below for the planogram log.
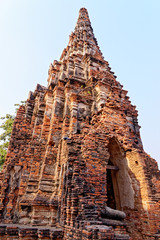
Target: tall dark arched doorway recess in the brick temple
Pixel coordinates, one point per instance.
(120, 192)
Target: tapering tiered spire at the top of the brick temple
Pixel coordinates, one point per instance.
(76, 59)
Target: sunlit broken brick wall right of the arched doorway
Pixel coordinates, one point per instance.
(147, 176)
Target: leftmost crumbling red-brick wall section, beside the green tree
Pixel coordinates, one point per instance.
(16, 164)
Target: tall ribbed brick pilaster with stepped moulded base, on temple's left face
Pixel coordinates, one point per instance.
(35, 203)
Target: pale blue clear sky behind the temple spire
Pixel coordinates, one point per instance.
(34, 32)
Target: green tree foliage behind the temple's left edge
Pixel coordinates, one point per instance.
(6, 127)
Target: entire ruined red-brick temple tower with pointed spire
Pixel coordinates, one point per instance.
(75, 167)
